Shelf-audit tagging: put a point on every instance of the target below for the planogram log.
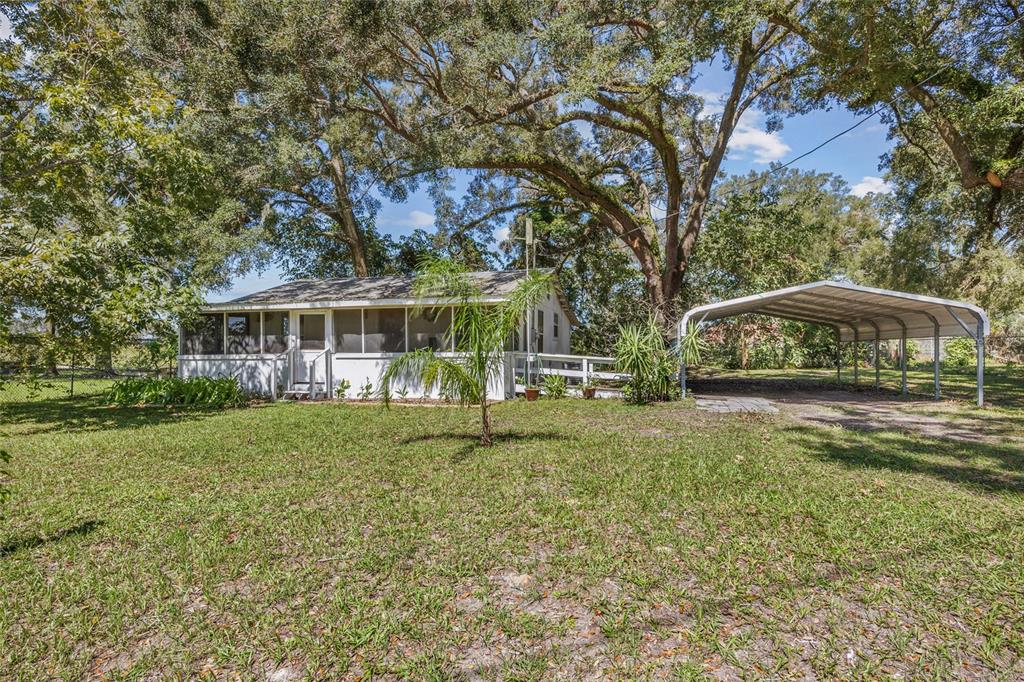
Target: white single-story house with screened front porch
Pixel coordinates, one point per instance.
(350, 329)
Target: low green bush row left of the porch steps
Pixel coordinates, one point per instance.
(197, 392)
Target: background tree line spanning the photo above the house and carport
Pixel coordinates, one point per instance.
(152, 151)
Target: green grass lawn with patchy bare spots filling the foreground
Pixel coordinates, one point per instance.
(329, 541)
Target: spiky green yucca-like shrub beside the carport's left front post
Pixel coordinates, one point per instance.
(654, 368)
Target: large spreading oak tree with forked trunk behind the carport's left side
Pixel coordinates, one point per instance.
(589, 107)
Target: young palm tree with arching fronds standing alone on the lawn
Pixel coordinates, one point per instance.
(481, 332)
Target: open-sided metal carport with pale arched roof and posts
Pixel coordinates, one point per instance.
(860, 314)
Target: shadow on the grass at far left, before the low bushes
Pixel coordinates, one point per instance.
(90, 414)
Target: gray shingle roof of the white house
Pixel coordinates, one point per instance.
(367, 289)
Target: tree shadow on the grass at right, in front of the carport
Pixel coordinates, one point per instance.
(1002, 470)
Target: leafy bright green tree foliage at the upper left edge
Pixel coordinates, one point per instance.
(110, 218)
